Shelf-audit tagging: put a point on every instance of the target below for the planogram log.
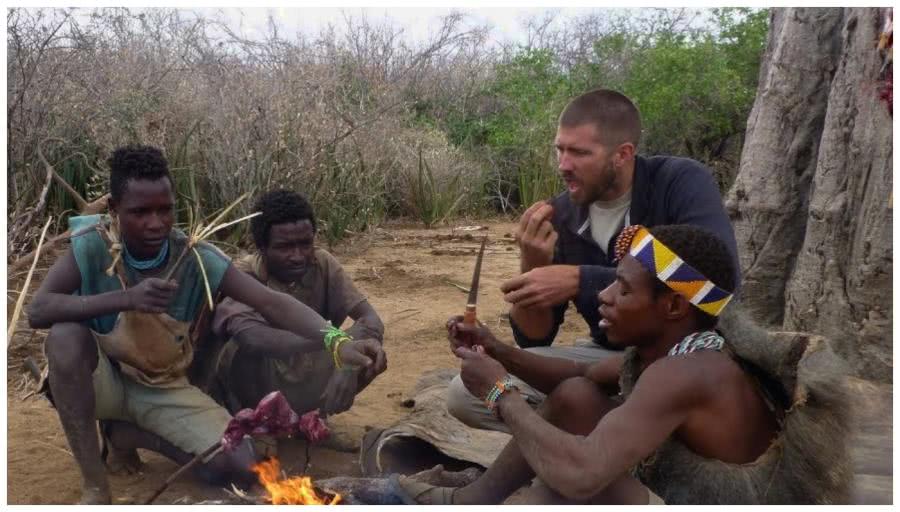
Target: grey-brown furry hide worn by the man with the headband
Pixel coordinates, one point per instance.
(809, 461)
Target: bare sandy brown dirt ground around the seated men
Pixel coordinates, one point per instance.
(413, 277)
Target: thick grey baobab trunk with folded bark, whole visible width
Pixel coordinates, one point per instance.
(810, 202)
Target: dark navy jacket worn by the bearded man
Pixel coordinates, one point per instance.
(665, 190)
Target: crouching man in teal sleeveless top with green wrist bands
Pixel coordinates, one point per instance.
(123, 306)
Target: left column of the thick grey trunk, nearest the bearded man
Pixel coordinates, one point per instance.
(767, 203)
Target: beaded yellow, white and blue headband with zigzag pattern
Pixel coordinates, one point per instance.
(672, 270)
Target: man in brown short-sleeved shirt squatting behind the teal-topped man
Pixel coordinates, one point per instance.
(259, 357)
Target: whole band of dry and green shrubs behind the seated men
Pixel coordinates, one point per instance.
(365, 122)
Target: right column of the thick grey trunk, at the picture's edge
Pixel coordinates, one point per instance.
(841, 286)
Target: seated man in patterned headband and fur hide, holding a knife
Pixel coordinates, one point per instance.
(703, 417)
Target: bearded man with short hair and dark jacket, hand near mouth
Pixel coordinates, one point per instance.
(566, 244)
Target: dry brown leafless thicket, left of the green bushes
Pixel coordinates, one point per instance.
(319, 115)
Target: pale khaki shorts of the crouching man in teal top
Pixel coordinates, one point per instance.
(184, 416)
